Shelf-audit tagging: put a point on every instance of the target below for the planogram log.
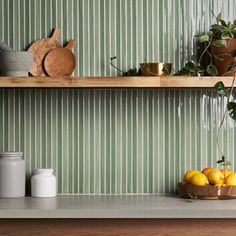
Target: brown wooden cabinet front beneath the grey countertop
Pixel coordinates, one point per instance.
(144, 227)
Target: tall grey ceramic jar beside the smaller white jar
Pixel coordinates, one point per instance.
(12, 175)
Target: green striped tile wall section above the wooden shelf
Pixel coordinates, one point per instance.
(135, 31)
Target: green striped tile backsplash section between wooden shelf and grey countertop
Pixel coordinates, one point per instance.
(115, 141)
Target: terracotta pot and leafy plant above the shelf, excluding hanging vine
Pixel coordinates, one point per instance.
(219, 48)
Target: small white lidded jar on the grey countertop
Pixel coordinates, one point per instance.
(43, 183)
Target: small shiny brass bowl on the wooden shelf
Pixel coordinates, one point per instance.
(154, 69)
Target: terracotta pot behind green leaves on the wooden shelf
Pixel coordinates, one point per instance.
(222, 65)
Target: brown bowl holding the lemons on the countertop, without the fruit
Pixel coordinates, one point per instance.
(207, 192)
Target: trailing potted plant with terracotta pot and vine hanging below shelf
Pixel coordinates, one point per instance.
(220, 47)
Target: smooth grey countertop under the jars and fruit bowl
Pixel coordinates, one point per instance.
(143, 206)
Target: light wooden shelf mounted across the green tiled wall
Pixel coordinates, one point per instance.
(113, 82)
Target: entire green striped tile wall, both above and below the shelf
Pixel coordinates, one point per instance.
(114, 141)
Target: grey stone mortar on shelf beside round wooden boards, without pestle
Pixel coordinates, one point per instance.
(15, 63)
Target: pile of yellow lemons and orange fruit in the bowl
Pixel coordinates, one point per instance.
(209, 175)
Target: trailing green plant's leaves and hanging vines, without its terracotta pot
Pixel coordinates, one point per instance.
(219, 36)
